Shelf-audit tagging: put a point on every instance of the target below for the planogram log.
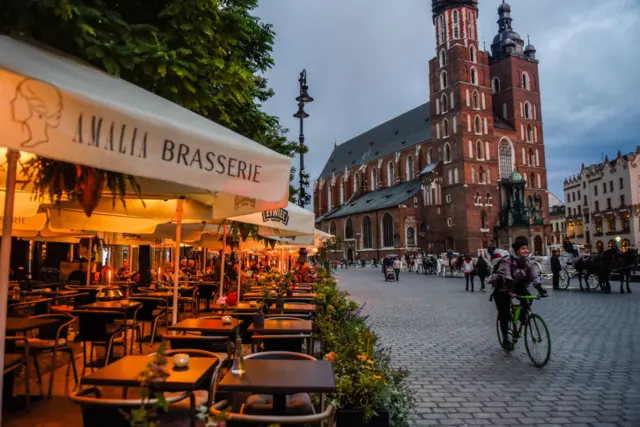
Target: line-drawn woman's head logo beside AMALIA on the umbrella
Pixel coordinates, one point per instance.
(37, 106)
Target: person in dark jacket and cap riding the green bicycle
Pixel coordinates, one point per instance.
(512, 277)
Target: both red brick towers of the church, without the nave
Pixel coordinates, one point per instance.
(485, 124)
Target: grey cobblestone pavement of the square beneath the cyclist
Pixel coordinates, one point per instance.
(446, 337)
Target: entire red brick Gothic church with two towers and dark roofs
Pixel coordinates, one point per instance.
(464, 168)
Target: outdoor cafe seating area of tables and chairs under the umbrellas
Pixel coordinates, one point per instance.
(75, 356)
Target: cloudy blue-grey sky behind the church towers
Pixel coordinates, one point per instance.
(367, 61)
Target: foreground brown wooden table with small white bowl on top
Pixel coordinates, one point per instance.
(124, 373)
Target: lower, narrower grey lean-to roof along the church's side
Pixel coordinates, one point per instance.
(376, 200)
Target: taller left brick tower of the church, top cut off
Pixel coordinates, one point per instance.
(462, 132)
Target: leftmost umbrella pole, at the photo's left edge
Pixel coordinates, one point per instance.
(5, 252)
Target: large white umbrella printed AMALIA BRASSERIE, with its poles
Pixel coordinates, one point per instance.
(56, 107)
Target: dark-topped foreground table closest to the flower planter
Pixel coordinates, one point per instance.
(281, 378)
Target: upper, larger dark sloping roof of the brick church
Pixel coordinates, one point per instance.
(403, 131)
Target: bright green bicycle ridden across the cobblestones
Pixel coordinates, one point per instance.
(535, 328)
